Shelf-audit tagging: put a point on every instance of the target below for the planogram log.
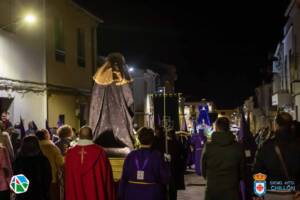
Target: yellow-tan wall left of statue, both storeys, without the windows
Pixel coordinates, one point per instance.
(68, 73)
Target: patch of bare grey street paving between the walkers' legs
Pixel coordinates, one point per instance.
(195, 187)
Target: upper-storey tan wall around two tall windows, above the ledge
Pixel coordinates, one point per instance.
(69, 73)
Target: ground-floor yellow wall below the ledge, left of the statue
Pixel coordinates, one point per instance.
(62, 104)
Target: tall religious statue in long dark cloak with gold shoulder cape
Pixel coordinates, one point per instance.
(111, 105)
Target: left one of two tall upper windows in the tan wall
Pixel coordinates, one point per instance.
(59, 40)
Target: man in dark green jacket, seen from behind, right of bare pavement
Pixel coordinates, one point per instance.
(222, 164)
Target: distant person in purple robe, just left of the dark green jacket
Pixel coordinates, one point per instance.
(198, 140)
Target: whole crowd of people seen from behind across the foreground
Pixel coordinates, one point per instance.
(63, 164)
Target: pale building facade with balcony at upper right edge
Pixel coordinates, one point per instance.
(286, 65)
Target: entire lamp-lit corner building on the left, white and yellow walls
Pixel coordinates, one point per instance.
(46, 68)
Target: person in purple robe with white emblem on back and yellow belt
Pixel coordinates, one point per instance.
(145, 173)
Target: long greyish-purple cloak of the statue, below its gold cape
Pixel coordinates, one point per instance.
(110, 112)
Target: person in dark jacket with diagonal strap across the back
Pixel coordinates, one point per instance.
(268, 160)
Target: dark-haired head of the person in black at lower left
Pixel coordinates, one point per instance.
(30, 146)
